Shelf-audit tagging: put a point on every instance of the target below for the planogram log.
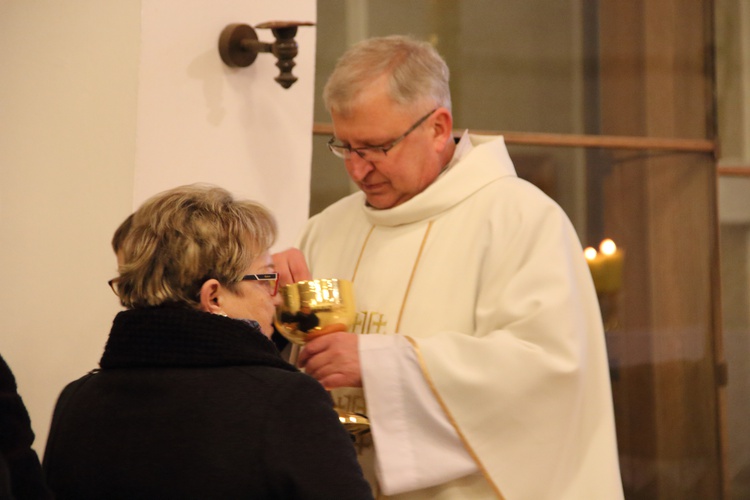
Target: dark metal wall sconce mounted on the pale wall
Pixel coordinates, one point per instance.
(239, 46)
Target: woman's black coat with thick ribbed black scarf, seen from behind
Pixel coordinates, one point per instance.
(193, 405)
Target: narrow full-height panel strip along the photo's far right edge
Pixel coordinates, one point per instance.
(732, 21)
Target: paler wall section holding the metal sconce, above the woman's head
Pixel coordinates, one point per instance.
(201, 121)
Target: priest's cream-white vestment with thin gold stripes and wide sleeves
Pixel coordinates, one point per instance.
(490, 376)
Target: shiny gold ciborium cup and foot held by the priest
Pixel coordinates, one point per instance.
(313, 308)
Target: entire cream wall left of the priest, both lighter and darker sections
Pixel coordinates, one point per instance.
(101, 105)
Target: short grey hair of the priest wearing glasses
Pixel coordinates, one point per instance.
(415, 70)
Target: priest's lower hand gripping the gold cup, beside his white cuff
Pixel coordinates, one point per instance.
(333, 360)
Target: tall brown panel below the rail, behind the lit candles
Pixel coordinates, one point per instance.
(660, 320)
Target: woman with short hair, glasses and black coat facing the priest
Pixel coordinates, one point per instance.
(192, 399)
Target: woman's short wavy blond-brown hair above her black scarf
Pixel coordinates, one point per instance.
(181, 237)
